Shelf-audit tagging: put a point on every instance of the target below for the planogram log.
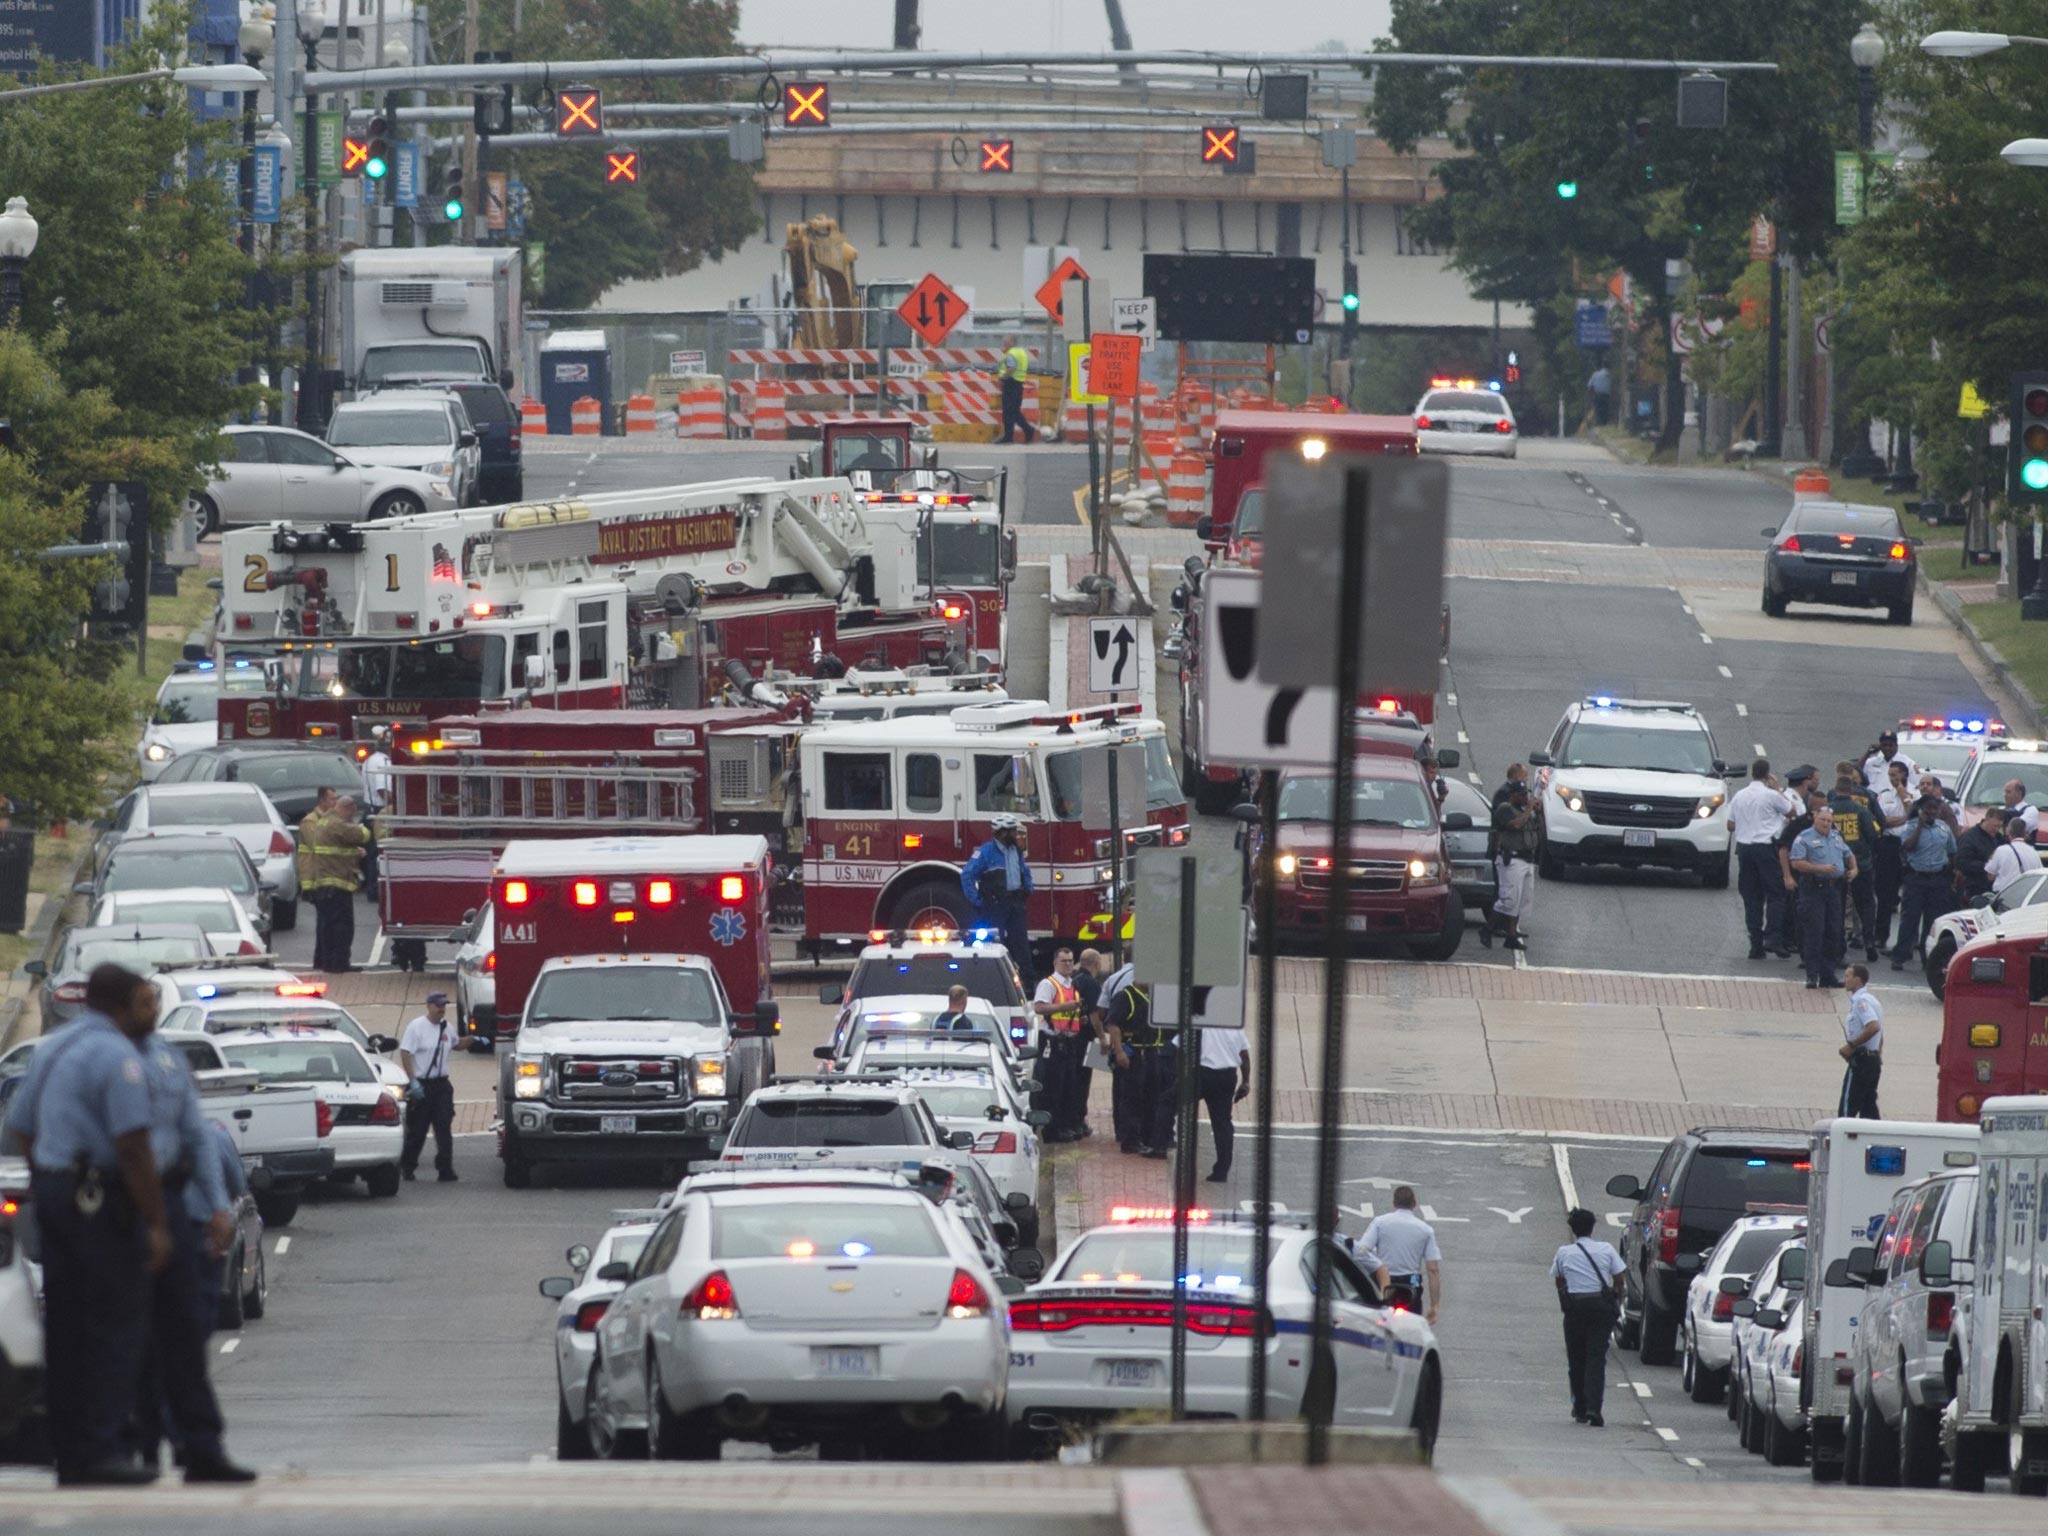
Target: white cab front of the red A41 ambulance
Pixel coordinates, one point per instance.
(624, 1058)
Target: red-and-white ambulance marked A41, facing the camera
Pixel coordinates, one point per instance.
(638, 972)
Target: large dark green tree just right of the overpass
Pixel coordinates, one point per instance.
(1646, 191)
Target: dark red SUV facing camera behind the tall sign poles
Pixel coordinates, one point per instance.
(1400, 869)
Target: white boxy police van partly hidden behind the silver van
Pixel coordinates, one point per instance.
(1859, 1166)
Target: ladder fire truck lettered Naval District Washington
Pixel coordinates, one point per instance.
(669, 597)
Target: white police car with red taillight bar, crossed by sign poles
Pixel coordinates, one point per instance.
(1095, 1338)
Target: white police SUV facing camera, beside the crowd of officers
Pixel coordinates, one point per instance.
(1633, 781)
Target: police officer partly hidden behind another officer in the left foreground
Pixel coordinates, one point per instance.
(175, 1390)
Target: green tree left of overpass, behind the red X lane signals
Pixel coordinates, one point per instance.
(691, 206)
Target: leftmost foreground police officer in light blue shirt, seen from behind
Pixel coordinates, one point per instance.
(83, 1119)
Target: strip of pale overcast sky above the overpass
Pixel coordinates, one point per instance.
(959, 26)
